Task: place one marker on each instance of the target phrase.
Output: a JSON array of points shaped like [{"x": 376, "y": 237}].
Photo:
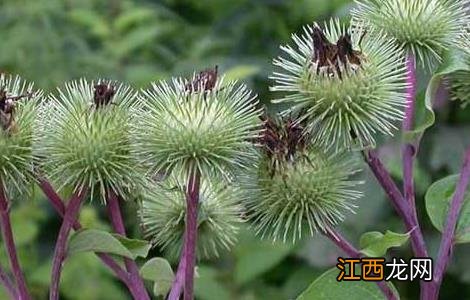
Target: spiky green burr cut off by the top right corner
[{"x": 424, "y": 28}]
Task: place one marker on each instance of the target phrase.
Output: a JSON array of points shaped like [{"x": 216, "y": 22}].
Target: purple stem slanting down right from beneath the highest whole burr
[{"x": 398, "y": 202}]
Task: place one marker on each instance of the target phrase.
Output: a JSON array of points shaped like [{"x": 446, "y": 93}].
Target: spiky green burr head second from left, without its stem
[{"x": 87, "y": 137}]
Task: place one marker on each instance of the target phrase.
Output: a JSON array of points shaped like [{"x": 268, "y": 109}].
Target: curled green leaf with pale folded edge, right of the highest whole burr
[{"x": 424, "y": 114}]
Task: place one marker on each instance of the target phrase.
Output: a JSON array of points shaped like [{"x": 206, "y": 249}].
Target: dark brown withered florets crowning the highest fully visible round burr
[{"x": 331, "y": 56}]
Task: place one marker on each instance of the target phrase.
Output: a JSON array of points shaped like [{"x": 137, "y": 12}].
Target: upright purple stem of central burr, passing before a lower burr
[{"x": 189, "y": 260}]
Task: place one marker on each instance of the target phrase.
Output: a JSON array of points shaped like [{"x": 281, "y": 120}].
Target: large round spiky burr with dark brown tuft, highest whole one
[{"x": 346, "y": 84}]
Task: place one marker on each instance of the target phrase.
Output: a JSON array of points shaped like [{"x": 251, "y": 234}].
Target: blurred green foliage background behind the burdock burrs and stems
[{"x": 52, "y": 41}]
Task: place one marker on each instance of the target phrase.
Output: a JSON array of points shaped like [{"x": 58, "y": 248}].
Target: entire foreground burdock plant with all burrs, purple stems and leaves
[{"x": 201, "y": 157}]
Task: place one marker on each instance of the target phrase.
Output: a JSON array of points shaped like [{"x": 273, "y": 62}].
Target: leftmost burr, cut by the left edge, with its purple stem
[{"x": 18, "y": 136}]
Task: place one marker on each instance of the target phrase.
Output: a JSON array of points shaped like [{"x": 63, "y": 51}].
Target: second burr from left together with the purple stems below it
[{"x": 87, "y": 147}]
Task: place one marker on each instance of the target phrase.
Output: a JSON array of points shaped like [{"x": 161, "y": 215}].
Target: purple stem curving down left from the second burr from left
[{"x": 70, "y": 217}]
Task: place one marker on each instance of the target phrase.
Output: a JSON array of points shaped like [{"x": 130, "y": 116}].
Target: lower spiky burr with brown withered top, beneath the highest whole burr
[{"x": 298, "y": 188}]
